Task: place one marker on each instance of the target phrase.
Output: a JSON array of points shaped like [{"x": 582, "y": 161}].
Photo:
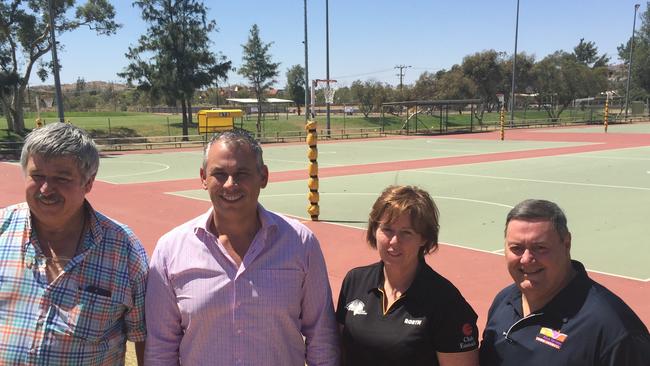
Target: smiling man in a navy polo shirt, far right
[{"x": 554, "y": 314}]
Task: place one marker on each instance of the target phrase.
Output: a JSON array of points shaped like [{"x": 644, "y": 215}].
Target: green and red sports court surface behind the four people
[{"x": 601, "y": 180}]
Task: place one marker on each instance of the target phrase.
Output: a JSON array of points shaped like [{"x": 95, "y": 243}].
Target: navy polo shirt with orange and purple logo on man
[{"x": 585, "y": 324}]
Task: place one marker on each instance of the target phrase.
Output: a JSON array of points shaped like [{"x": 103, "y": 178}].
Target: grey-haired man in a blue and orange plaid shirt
[{"x": 72, "y": 281}]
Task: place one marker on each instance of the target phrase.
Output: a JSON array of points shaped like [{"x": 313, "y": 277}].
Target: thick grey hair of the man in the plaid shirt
[{"x": 59, "y": 139}]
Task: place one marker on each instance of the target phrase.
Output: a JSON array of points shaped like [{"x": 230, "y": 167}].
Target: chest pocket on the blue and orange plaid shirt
[{"x": 90, "y": 319}]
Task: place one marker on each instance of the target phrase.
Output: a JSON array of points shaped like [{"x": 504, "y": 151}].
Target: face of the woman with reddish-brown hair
[{"x": 398, "y": 243}]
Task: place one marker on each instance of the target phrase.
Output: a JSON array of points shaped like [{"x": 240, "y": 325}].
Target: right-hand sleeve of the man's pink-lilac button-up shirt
[{"x": 318, "y": 324}]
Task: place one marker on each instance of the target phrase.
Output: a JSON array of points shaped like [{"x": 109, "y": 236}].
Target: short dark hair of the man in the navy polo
[{"x": 535, "y": 209}]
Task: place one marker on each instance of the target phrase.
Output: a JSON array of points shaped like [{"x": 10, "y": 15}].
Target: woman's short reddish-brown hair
[{"x": 417, "y": 203}]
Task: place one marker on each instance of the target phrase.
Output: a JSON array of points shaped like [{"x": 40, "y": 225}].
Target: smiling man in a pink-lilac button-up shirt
[{"x": 239, "y": 285}]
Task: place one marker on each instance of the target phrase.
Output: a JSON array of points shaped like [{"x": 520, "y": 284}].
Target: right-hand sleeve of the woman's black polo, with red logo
[{"x": 456, "y": 330}]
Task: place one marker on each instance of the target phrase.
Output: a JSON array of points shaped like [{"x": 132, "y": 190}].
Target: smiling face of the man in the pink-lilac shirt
[{"x": 233, "y": 179}]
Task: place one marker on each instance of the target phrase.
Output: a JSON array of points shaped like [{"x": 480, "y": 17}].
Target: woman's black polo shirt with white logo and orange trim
[{"x": 430, "y": 317}]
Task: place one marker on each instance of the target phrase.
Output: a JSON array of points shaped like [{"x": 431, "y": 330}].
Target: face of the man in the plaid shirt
[{"x": 55, "y": 189}]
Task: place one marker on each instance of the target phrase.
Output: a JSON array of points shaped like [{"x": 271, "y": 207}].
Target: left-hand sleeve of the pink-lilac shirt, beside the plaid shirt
[{"x": 164, "y": 332}]
